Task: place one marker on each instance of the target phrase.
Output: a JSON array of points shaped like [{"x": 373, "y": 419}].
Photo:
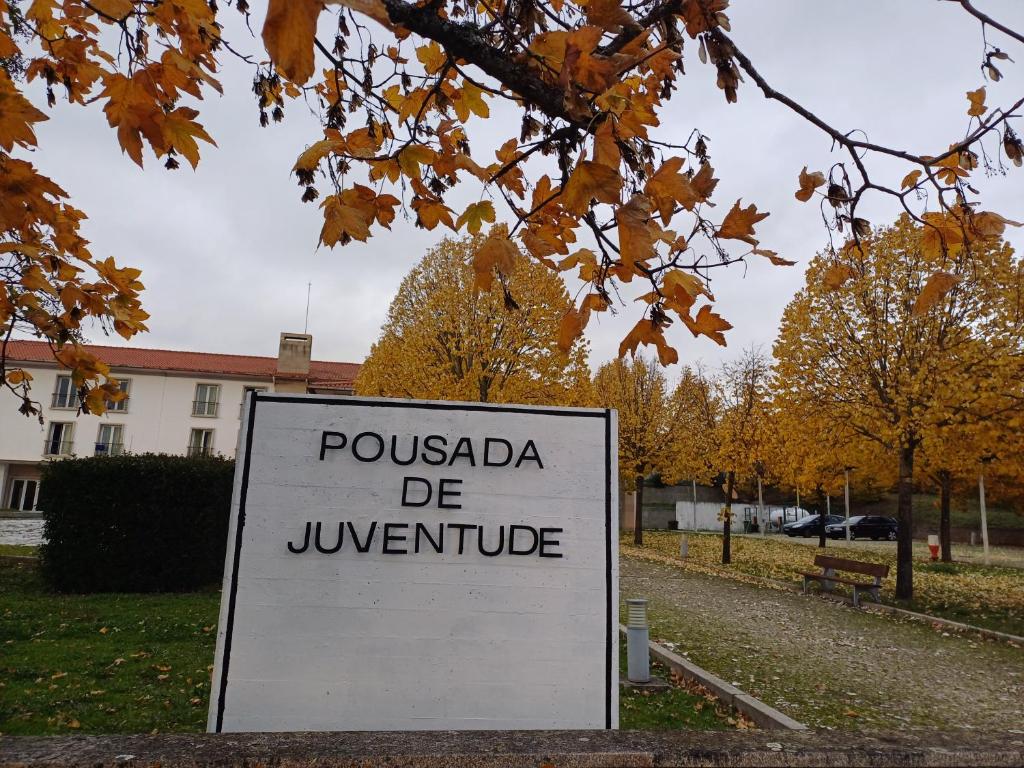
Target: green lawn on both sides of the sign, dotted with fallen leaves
[{"x": 136, "y": 664}]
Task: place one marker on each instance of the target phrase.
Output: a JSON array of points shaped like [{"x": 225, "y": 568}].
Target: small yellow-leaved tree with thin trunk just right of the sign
[{"x": 651, "y": 422}]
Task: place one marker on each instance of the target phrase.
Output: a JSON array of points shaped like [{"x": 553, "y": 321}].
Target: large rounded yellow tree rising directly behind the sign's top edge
[{"x": 444, "y": 340}]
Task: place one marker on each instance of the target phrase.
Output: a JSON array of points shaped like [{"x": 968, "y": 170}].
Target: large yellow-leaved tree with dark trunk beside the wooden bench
[{"x": 869, "y": 353}]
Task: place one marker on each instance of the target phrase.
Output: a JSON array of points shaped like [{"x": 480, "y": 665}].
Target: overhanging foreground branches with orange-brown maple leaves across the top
[{"x": 588, "y": 178}]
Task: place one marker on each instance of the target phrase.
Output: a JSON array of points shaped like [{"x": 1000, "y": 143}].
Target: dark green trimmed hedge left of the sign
[{"x": 136, "y": 524}]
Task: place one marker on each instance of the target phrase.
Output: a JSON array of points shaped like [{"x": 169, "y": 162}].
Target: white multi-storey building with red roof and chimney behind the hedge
[{"x": 178, "y": 403}]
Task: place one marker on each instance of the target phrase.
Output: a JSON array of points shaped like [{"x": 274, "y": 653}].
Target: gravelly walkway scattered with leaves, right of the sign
[{"x": 829, "y": 665}]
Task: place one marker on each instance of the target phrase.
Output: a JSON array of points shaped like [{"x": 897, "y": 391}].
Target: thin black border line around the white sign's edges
[{"x": 255, "y": 398}]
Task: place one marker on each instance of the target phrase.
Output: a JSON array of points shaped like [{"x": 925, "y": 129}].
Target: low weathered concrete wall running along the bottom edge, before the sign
[{"x": 742, "y": 749}]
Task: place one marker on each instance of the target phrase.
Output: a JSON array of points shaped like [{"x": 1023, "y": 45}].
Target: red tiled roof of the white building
[{"x": 199, "y": 363}]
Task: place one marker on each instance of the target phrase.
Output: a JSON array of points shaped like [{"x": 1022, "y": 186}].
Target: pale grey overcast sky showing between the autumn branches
[{"x": 227, "y": 252}]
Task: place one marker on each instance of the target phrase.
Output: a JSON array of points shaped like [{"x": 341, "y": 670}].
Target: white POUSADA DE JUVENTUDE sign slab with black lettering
[{"x": 417, "y": 566}]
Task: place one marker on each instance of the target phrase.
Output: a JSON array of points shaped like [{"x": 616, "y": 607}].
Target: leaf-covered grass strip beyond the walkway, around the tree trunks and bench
[{"x": 992, "y": 598}]
